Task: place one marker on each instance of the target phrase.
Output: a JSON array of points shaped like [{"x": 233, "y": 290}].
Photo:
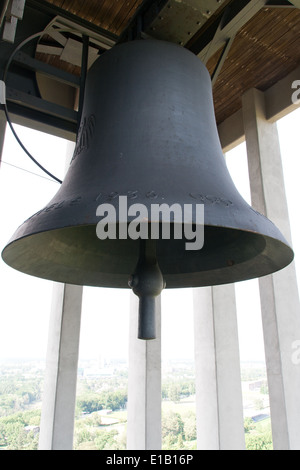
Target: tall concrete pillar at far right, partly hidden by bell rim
[{"x": 278, "y": 292}]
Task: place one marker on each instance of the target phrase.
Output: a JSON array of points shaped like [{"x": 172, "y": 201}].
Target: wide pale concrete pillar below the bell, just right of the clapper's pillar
[{"x": 219, "y": 406}]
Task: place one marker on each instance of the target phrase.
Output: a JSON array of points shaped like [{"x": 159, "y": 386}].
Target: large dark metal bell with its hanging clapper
[{"x": 148, "y": 134}]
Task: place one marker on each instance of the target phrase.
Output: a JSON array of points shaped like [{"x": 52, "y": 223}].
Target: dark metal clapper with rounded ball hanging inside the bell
[{"x": 147, "y": 283}]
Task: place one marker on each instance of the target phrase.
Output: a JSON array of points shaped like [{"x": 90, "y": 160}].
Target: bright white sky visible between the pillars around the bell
[{"x": 25, "y": 301}]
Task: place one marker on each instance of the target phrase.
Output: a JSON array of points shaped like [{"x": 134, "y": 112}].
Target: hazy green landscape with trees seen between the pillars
[{"x": 101, "y": 404}]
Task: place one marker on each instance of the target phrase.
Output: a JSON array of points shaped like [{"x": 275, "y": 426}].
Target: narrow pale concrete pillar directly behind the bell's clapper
[{"x": 144, "y": 385}]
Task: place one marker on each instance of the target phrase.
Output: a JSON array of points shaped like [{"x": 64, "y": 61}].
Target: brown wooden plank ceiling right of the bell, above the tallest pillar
[{"x": 265, "y": 50}]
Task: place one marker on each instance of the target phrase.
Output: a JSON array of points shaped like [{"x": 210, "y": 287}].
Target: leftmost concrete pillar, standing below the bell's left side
[{"x": 58, "y": 409}]
